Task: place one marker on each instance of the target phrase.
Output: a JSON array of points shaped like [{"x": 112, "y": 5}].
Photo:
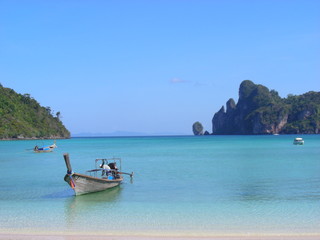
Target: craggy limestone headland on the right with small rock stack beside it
[{"x": 262, "y": 111}]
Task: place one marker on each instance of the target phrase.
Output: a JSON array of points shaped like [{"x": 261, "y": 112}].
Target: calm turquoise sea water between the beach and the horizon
[{"x": 184, "y": 185}]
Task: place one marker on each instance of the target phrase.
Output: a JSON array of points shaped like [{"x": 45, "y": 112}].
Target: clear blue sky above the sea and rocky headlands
[{"x": 154, "y": 66}]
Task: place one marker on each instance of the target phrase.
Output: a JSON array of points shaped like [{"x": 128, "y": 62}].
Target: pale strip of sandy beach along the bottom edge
[{"x": 49, "y": 235}]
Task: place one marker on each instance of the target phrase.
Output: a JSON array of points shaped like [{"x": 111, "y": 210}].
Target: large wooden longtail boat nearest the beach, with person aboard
[{"x": 105, "y": 175}]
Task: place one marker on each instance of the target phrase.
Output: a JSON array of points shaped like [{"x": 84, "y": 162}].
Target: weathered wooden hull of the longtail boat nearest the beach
[{"x": 83, "y": 184}]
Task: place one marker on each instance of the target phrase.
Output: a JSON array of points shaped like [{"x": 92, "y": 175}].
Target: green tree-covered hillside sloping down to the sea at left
[{"x": 21, "y": 116}]
